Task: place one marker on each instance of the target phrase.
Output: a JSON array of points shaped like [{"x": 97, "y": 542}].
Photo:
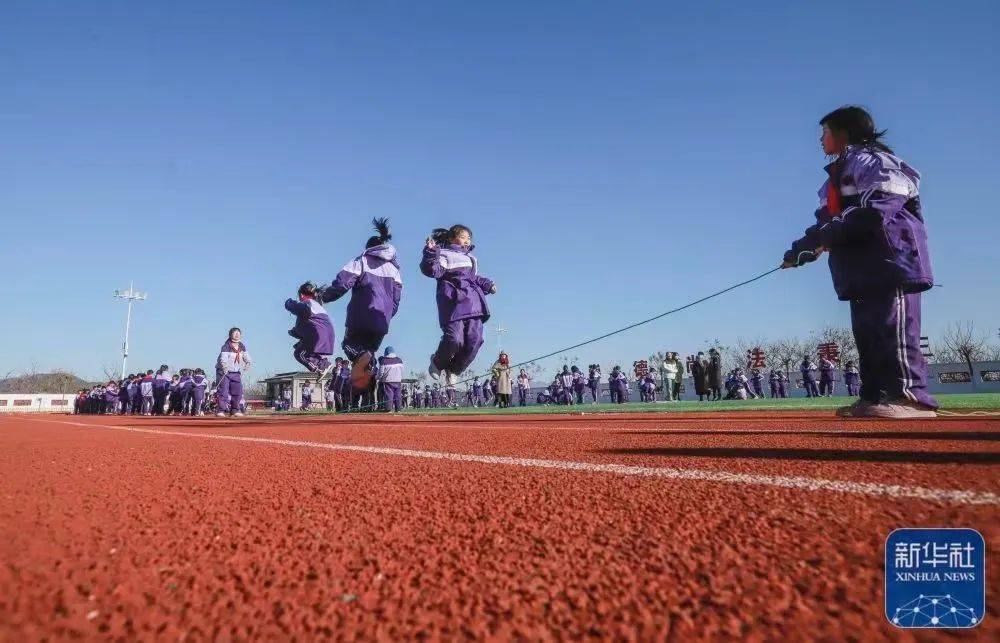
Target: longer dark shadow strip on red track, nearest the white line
[{"x": 845, "y": 455}]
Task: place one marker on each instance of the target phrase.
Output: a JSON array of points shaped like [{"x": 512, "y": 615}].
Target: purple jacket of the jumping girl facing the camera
[{"x": 461, "y": 291}]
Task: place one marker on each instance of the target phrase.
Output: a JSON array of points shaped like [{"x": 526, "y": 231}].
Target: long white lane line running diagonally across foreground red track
[{"x": 954, "y": 496}]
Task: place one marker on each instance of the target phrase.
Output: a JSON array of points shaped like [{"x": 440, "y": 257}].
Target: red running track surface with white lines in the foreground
[{"x": 645, "y": 527}]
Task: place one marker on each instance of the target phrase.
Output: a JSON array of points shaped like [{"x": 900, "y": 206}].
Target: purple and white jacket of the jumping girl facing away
[{"x": 376, "y": 287}]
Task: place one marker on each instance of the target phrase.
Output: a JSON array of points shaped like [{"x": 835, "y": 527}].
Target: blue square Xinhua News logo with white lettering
[{"x": 935, "y": 578}]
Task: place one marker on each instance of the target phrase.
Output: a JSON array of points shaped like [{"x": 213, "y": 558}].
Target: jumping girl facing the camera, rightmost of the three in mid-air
[{"x": 461, "y": 299}]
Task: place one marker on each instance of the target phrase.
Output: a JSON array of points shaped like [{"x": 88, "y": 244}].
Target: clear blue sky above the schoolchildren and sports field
[{"x": 613, "y": 159}]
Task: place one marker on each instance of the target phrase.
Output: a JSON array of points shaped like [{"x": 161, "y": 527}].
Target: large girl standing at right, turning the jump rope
[{"x": 870, "y": 220}]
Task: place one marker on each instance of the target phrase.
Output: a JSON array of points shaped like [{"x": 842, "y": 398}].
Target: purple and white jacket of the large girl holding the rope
[{"x": 878, "y": 242}]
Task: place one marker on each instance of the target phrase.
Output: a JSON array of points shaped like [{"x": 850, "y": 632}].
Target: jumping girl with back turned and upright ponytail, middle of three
[{"x": 376, "y": 286}]
